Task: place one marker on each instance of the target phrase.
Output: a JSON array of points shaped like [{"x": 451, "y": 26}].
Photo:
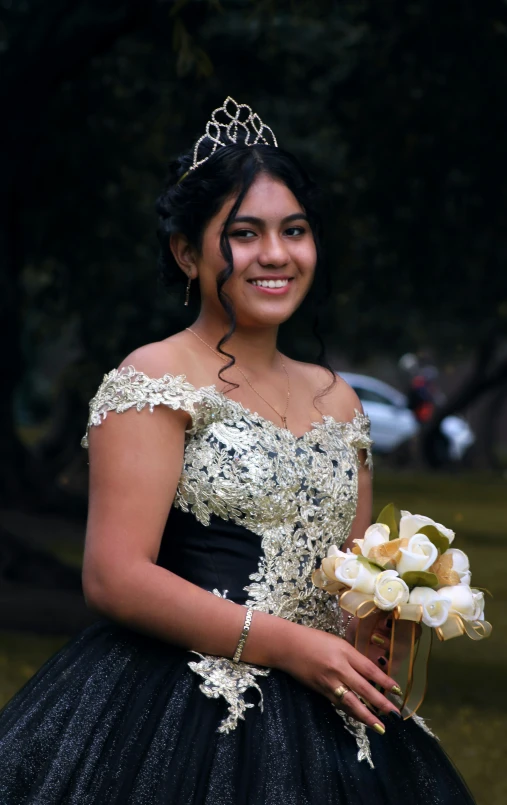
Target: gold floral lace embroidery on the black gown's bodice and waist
[{"x": 299, "y": 494}]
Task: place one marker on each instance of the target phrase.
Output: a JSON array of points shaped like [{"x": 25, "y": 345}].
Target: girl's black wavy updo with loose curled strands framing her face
[{"x": 191, "y": 198}]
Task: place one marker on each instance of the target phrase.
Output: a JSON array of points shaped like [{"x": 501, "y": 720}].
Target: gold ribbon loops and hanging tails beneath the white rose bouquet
[{"x": 411, "y": 642}]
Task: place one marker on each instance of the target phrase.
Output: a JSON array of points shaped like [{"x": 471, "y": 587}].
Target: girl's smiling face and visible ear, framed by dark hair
[{"x": 274, "y": 256}]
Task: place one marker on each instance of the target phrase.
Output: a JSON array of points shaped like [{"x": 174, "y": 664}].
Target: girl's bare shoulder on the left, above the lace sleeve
[{"x": 169, "y": 356}]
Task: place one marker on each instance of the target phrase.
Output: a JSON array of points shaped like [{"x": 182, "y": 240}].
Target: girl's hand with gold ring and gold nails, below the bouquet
[{"x": 325, "y": 662}]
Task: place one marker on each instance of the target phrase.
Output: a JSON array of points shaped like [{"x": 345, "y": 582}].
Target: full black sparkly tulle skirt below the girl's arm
[{"x": 117, "y": 718}]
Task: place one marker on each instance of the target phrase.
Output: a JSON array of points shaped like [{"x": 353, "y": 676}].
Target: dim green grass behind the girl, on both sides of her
[{"x": 467, "y": 700}]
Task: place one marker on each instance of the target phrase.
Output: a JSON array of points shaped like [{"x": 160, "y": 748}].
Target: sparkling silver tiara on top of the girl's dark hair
[{"x": 224, "y": 126}]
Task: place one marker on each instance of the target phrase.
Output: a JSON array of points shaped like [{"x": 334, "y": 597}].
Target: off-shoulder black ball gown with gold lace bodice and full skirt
[{"x": 120, "y": 718}]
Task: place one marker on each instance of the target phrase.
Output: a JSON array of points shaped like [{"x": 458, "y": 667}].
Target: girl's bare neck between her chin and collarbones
[{"x": 253, "y": 348}]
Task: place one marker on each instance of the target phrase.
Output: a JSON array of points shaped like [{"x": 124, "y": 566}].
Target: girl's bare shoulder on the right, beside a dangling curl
[{"x": 333, "y": 396}]
